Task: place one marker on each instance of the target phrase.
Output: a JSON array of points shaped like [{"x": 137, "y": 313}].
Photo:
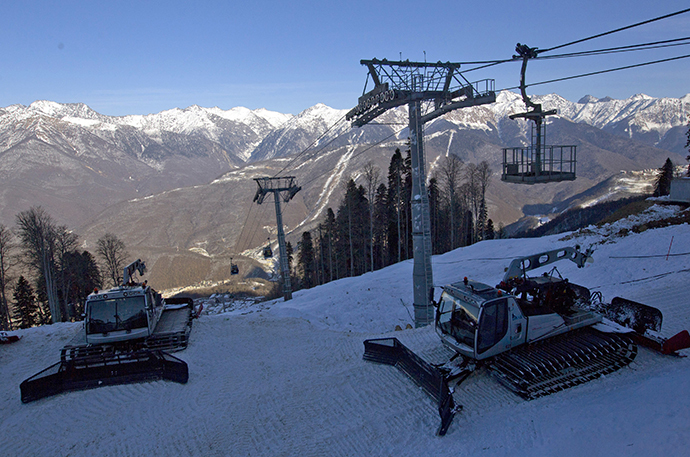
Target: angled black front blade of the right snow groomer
[{"x": 391, "y": 351}]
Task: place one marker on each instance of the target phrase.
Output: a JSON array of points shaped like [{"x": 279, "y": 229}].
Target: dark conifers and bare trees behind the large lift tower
[{"x": 372, "y": 226}]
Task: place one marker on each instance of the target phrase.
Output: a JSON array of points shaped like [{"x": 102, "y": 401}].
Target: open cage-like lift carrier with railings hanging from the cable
[{"x": 537, "y": 163}]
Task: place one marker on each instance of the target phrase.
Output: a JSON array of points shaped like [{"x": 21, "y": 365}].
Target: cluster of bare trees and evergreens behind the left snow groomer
[{"x": 44, "y": 276}]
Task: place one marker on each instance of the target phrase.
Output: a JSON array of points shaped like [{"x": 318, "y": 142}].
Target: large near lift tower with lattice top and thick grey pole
[{"x": 442, "y": 88}]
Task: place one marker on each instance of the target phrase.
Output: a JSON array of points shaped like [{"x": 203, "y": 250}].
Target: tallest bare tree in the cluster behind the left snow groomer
[{"x": 38, "y": 233}]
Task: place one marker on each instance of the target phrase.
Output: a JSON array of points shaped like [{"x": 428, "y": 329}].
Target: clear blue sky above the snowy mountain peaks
[{"x": 140, "y": 57}]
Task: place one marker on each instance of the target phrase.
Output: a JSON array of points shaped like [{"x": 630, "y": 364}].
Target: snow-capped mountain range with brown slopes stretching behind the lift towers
[{"x": 177, "y": 186}]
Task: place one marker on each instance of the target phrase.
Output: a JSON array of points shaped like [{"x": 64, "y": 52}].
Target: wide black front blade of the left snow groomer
[{"x": 97, "y": 371}]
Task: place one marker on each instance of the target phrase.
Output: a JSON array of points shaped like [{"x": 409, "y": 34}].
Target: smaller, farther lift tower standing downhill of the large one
[{"x": 286, "y": 188}]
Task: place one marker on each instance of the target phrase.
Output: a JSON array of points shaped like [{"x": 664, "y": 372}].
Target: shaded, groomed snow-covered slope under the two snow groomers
[{"x": 287, "y": 378}]
